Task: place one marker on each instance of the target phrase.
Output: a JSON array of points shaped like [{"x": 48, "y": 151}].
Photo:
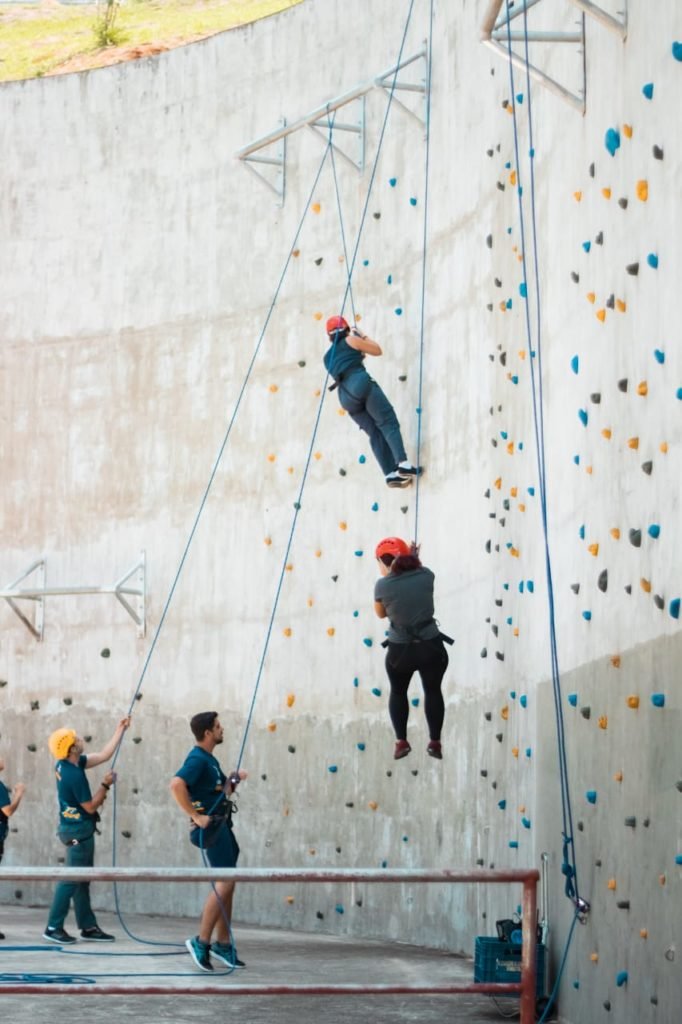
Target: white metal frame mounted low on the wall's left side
[{"x": 130, "y": 590}]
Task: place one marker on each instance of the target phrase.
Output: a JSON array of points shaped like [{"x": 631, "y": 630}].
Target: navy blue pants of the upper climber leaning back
[{"x": 371, "y": 410}]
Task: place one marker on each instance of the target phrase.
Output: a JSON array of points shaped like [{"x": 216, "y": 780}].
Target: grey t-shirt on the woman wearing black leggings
[{"x": 408, "y": 599}]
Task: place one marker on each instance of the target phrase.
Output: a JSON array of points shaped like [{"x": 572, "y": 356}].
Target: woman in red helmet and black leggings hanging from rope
[{"x": 405, "y": 596}]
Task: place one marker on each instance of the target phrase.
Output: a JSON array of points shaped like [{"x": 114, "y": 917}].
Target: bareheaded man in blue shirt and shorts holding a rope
[{"x": 202, "y": 790}]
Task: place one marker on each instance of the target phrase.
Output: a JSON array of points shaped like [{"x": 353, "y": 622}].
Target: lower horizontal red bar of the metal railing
[{"x": 503, "y": 989}]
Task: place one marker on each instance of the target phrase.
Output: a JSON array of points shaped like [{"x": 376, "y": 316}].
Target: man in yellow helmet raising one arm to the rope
[{"x": 78, "y": 819}]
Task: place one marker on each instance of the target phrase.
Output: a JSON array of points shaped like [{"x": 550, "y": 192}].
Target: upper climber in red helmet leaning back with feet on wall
[{"x": 364, "y": 400}]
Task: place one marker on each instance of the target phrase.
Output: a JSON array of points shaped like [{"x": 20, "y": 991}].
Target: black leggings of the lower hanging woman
[{"x": 430, "y": 659}]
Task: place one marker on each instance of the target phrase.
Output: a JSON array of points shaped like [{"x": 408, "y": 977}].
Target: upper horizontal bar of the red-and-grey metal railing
[{"x": 279, "y": 875}]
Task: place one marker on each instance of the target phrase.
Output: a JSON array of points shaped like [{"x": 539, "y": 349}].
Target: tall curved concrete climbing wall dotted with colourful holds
[{"x": 139, "y": 262}]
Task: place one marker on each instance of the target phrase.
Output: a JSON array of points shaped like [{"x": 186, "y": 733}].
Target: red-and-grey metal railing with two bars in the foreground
[{"x": 526, "y": 989}]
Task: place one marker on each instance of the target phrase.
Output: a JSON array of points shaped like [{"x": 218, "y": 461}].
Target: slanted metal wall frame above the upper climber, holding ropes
[{"x": 353, "y": 129}]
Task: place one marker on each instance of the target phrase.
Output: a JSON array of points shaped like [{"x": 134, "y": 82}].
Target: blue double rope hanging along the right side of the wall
[{"x": 569, "y": 867}]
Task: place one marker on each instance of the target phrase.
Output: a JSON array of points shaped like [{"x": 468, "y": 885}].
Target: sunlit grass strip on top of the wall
[{"x": 52, "y": 38}]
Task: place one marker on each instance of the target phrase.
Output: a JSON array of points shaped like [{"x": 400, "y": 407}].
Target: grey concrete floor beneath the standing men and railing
[{"x": 272, "y": 958}]
